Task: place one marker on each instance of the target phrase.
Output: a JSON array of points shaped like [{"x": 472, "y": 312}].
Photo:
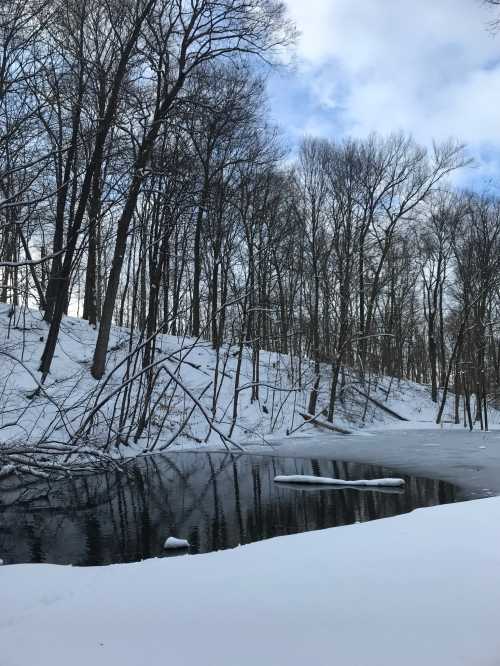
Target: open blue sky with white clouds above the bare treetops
[{"x": 429, "y": 67}]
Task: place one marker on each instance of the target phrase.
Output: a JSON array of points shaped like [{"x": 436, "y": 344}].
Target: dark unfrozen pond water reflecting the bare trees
[{"x": 215, "y": 501}]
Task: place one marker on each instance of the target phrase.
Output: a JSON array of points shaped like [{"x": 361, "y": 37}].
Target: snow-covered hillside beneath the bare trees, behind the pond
[{"x": 58, "y": 413}]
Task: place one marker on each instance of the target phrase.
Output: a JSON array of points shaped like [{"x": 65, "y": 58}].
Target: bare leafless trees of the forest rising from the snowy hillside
[{"x": 145, "y": 186}]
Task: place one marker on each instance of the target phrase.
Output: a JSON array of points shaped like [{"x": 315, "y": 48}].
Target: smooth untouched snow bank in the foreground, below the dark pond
[{"x": 422, "y": 588}]
